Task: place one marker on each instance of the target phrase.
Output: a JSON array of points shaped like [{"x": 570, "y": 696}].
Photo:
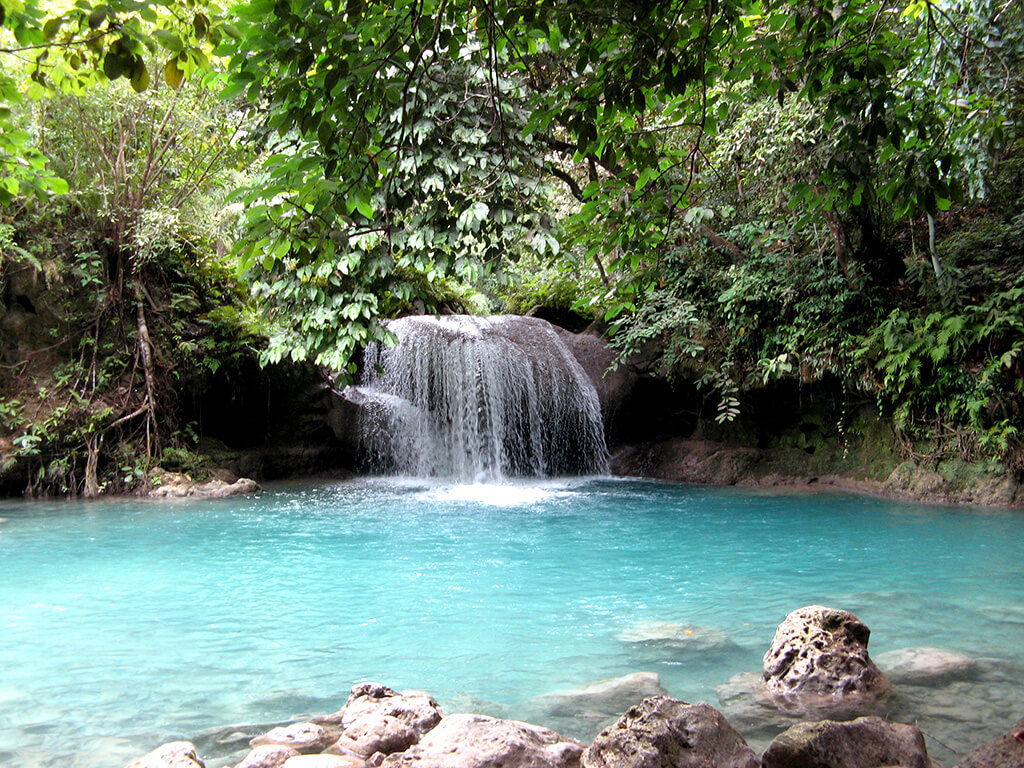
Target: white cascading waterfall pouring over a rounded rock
[{"x": 479, "y": 400}]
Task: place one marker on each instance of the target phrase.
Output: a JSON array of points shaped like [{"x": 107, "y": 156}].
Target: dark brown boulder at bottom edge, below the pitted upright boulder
[{"x": 865, "y": 743}]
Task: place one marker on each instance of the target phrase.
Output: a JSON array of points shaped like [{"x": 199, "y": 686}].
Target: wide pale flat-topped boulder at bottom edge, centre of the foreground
[{"x": 482, "y": 742}]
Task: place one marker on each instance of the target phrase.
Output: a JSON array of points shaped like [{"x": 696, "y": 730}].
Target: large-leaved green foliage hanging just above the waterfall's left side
[{"x": 356, "y": 220}]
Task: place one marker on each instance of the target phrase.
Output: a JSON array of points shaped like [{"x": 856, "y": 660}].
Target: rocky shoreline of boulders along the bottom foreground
[{"x": 818, "y": 676}]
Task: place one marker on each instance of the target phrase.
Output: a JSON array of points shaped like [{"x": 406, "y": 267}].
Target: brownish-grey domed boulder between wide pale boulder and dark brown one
[{"x": 664, "y": 733}]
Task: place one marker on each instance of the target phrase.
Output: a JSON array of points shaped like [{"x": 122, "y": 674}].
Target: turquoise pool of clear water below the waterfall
[{"x": 125, "y": 623}]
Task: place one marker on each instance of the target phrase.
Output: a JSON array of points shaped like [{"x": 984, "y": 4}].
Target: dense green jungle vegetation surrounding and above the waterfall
[{"x": 737, "y": 192}]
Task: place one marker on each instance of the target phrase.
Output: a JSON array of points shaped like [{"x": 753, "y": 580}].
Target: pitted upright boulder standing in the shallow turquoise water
[{"x": 822, "y": 653}]
